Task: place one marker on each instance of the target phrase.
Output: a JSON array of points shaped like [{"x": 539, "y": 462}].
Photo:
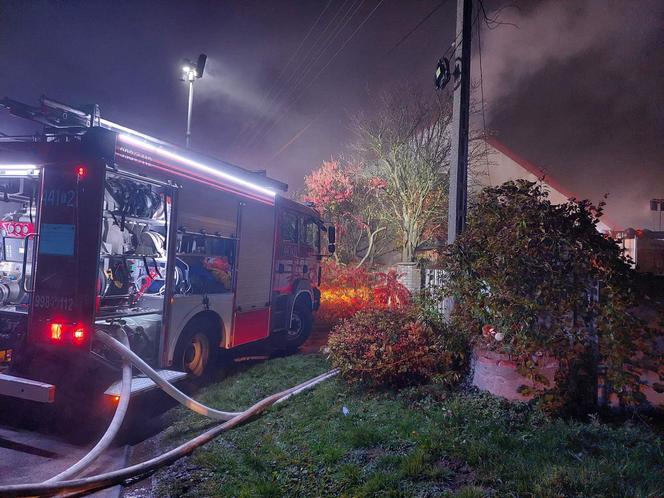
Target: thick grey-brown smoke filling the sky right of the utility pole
[{"x": 577, "y": 88}]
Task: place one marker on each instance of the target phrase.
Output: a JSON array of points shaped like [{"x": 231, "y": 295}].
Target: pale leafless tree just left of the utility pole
[{"x": 406, "y": 143}]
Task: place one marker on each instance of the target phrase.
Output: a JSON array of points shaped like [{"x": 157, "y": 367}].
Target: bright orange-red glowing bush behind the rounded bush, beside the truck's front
[{"x": 345, "y": 290}]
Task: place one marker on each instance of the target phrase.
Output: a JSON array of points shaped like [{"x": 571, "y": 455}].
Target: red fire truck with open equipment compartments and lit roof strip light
[{"x": 105, "y": 228}]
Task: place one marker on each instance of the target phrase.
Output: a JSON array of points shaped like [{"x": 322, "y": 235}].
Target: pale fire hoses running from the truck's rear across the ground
[{"x": 62, "y": 483}]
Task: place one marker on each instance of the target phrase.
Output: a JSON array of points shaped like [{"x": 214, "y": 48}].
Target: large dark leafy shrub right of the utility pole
[{"x": 531, "y": 277}]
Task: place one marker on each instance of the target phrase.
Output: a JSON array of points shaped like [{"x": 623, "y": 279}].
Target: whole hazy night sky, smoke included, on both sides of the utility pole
[{"x": 577, "y": 88}]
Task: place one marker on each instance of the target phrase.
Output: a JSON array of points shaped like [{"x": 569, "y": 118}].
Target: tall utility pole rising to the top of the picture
[{"x": 458, "y": 194}]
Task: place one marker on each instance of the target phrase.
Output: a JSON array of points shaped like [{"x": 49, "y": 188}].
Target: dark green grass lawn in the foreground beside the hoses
[{"x": 421, "y": 442}]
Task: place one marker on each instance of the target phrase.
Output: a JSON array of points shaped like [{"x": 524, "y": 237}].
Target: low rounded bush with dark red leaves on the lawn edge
[{"x": 386, "y": 348}]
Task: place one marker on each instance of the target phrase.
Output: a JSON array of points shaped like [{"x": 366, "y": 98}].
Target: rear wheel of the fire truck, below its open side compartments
[{"x": 197, "y": 349}]
